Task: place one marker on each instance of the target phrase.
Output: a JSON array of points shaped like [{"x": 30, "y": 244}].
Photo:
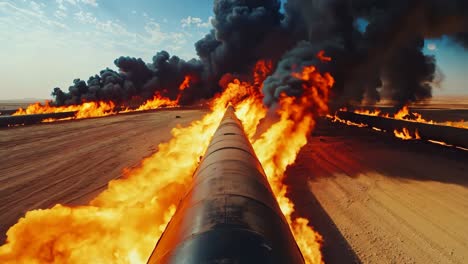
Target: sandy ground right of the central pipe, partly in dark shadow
[{"x": 377, "y": 199}]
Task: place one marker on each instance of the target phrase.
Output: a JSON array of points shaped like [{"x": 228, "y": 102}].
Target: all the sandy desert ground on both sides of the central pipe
[{"x": 374, "y": 198}]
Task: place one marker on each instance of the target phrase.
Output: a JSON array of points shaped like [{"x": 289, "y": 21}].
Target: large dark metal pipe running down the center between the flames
[{"x": 230, "y": 214}]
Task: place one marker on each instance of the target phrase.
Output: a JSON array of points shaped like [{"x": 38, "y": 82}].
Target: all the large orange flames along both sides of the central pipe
[{"x": 124, "y": 222}]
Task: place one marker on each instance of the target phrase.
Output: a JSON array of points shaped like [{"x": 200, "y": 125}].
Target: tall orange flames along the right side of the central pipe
[{"x": 278, "y": 147}]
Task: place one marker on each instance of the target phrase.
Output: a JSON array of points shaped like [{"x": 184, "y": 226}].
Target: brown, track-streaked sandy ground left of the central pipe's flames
[{"x": 70, "y": 162}]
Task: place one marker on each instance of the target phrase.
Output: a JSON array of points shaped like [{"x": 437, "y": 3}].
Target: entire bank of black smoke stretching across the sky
[{"x": 386, "y": 60}]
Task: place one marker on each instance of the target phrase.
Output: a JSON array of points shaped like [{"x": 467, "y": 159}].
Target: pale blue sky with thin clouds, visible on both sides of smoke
[{"x": 48, "y": 43}]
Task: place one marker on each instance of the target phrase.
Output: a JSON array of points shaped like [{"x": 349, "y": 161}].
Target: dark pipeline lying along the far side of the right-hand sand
[{"x": 450, "y": 135}]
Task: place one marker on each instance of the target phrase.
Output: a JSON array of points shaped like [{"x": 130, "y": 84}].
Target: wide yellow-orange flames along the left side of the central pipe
[{"x": 123, "y": 223}]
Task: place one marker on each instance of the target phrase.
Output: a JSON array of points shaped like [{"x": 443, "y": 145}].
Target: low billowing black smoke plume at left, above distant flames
[{"x": 135, "y": 79}]
